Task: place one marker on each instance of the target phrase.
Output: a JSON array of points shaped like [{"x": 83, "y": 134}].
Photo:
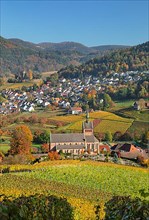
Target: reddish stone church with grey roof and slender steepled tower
[{"x": 76, "y": 143}]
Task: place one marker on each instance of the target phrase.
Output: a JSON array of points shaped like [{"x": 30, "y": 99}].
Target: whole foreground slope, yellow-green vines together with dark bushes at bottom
[{"x": 84, "y": 184}]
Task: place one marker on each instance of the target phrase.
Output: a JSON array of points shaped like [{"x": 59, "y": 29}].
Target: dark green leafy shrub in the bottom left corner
[{"x": 36, "y": 207}]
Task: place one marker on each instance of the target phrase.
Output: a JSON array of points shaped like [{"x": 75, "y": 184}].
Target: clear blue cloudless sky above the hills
[{"x": 91, "y": 23}]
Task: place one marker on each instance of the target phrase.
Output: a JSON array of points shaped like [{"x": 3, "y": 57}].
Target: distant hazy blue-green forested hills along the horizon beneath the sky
[{"x": 17, "y": 55}]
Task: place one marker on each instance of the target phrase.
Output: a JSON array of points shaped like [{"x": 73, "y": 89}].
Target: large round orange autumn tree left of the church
[{"x": 21, "y": 140}]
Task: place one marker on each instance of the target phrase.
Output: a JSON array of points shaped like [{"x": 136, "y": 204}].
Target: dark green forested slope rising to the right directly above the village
[{"x": 134, "y": 58}]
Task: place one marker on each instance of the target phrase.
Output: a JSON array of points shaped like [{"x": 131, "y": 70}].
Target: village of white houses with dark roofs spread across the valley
[{"x": 65, "y": 94}]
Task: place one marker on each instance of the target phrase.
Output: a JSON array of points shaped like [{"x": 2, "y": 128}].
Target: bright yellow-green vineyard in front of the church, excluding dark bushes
[{"x": 84, "y": 184}]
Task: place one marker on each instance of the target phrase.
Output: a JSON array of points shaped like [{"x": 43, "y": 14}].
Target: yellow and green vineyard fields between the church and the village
[{"x": 103, "y": 122}]
